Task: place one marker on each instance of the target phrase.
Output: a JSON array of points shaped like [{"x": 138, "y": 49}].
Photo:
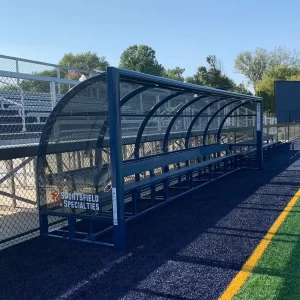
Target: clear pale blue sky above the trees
[{"x": 182, "y": 33}]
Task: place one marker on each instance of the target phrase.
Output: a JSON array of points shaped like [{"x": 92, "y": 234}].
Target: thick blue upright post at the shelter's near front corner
[{"x": 113, "y": 90}]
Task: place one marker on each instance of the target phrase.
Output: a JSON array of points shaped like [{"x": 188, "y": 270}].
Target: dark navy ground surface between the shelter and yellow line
[{"x": 190, "y": 249}]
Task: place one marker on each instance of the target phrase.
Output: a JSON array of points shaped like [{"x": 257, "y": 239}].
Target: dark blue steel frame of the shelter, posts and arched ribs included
[{"x": 114, "y": 77}]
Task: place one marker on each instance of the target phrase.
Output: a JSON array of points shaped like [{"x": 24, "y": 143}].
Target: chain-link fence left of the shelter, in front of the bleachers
[{"x": 25, "y": 104}]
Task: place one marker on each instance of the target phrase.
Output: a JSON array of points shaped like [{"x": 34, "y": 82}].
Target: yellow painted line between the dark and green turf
[{"x": 241, "y": 277}]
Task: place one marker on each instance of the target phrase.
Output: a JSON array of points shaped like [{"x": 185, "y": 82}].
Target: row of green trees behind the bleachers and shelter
[{"x": 261, "y": 68}]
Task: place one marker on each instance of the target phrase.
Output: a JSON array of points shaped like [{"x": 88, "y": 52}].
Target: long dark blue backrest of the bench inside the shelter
[{"x": 157, "y": 161}]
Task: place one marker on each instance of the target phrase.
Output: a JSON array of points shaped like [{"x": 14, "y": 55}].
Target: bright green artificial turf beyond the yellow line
[{"x": 277, "y": 274}]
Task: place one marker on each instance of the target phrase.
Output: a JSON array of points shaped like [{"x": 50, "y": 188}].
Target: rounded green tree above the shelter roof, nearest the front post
[{"x": 141, "y": 58}]
